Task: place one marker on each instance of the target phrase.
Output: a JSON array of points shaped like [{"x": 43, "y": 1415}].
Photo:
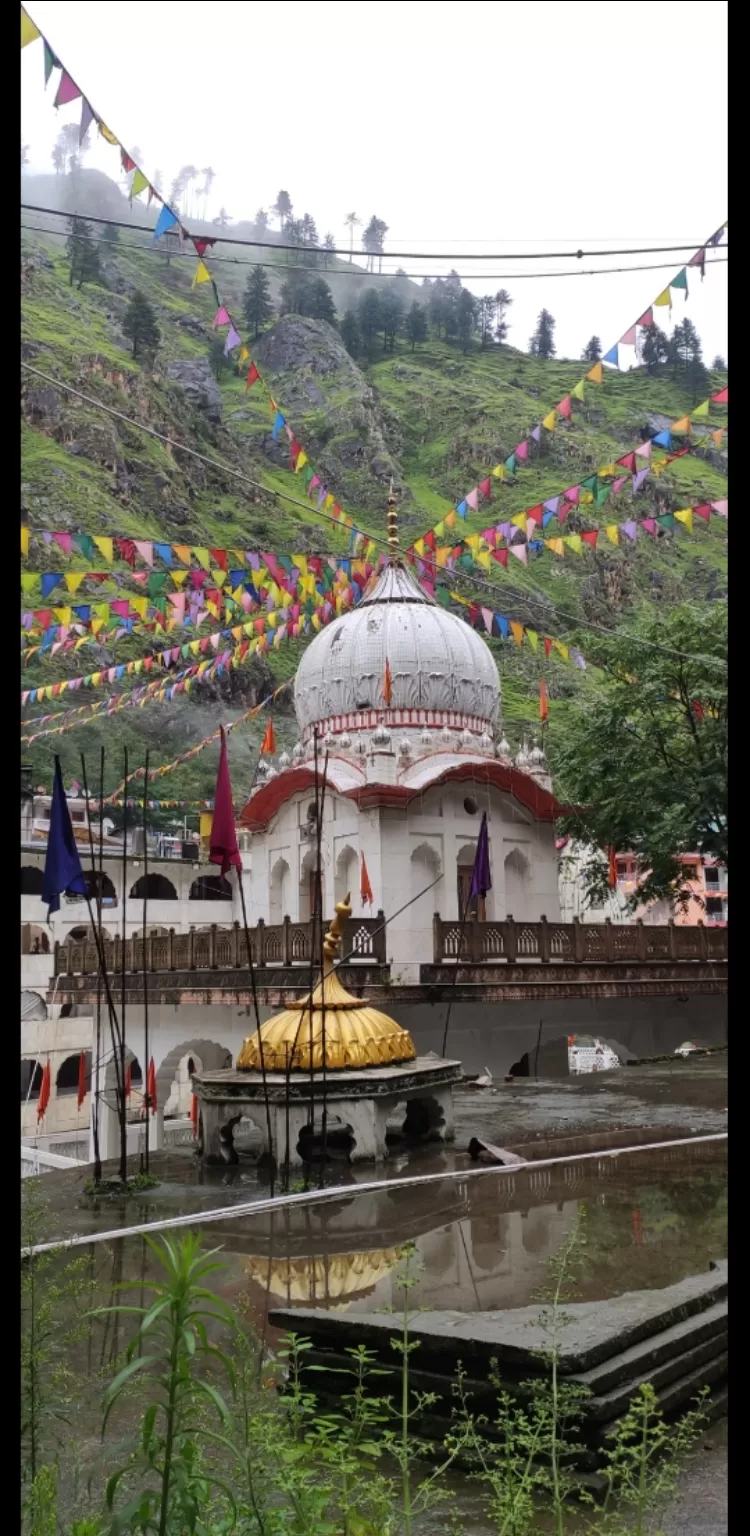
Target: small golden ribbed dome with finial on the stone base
[{"x": 356, "y": 1036}]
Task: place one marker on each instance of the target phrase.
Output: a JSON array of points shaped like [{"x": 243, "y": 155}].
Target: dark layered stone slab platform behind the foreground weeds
[{"x": 674, "y": 1339}]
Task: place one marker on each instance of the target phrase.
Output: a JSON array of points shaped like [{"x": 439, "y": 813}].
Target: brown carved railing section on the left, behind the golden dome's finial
[{"x": 225, "y": 948}]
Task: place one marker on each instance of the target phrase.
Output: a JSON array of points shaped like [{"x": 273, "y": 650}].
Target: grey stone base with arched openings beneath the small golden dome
[{"x": 359, "y": 1102}]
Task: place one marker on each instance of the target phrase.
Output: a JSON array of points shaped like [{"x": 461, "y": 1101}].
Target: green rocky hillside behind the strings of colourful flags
[{"x": 434, "y": 419}]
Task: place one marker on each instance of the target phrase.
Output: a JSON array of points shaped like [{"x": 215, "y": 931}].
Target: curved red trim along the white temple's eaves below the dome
[{"x": 294, "y": 781}]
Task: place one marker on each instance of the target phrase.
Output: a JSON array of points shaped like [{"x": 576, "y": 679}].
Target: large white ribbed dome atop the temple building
[{"x": 436, "y": 660}]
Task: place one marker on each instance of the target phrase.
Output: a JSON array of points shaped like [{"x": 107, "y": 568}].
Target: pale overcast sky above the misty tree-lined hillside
[{"x": 470, "y": 128}]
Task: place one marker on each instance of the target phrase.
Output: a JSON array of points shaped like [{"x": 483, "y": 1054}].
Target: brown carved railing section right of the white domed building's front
[{"x": 576, "y": 944}]
